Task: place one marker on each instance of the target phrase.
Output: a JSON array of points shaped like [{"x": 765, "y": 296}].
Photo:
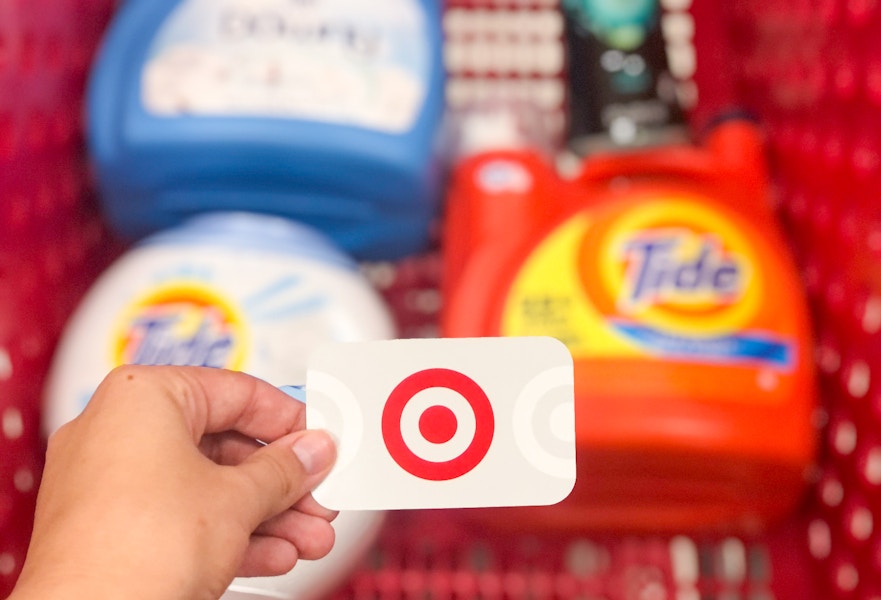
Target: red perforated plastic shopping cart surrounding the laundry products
[{"x": 810, "y": 70}]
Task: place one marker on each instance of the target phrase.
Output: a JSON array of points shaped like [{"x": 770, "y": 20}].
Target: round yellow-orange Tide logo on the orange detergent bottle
[{"x": 675, "y": 264}]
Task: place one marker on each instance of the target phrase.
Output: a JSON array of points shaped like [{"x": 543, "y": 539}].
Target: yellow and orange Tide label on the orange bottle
[{"x": 659, "y": 276}]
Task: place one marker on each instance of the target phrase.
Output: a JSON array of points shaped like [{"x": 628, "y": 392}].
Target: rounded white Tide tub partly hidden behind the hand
[{"x": 241, "y": 291}]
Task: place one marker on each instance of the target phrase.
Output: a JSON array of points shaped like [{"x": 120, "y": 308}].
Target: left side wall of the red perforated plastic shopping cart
[{"x": 52, "y": 242}]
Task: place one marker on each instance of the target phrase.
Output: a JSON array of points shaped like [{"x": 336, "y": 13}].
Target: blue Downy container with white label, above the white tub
[{"x": 322, "y": 111}]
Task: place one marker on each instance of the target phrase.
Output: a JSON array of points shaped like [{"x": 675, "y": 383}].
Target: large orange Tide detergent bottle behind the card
[{"x": 663, "y": 271}]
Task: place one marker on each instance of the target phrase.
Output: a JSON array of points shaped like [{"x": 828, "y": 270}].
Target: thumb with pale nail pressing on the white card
[{"x": 281, "y": 473}]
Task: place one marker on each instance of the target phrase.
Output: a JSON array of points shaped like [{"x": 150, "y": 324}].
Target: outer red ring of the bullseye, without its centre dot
[{"x": 394, "y": 438}]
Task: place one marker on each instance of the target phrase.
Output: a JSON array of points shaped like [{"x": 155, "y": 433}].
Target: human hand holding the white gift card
[{"x": 159, "y": 489}]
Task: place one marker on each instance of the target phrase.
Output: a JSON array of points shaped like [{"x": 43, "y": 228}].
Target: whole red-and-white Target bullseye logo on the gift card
[{"x": 454, "y": 424}]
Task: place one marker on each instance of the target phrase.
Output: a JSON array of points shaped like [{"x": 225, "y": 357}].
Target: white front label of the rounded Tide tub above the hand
[{"x": 252, "y": 311}]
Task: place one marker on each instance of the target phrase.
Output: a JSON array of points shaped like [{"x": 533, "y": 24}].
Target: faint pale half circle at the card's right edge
[{"x": 544, "y": 422}]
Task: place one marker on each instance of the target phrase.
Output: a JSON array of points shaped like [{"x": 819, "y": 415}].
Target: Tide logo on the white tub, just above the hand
[{"x": 182, "y": 323}]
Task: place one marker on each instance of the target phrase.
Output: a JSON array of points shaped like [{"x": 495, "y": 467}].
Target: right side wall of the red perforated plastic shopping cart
[{"x": 812, "y": 71}]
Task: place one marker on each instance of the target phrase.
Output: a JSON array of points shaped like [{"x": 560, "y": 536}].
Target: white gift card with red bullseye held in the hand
[{"x": 445, "y": 423}]
